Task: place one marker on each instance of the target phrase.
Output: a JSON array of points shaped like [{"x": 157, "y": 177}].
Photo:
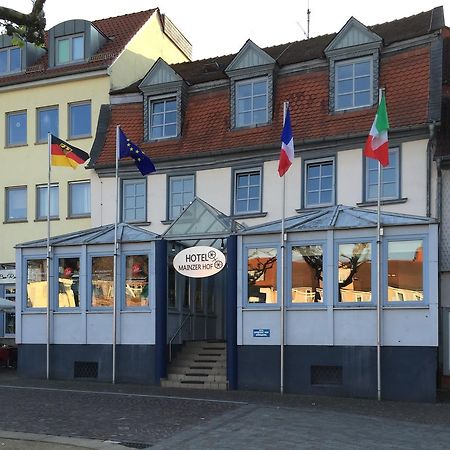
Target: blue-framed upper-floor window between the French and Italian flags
[{"x": 319, "y": 183}]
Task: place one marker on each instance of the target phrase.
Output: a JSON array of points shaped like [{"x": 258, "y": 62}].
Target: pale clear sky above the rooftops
[{"x": 217, "y": 28}]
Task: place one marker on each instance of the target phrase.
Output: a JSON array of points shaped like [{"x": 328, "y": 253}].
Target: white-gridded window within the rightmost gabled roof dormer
[{"x": 353, "y": 81}]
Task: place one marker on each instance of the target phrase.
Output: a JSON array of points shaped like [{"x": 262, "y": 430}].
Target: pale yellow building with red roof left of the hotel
[{"x": 60, "y": 89}]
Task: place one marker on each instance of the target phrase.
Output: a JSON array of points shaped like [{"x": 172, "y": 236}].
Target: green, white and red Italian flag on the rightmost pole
[{"x": 377, "y": 145}]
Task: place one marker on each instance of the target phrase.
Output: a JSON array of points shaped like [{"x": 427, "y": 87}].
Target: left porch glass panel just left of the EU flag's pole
[{"x": 102, "y": 276}]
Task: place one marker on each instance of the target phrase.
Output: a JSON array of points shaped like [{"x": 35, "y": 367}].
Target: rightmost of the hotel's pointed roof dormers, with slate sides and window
[{"x": 354, "y": 67}]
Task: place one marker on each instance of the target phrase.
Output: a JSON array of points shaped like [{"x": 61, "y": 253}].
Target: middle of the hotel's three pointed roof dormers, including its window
[{"x": 251, "y": 73}]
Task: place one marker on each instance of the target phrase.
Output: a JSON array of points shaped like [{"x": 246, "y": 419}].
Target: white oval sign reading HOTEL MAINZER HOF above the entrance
[{"x": 199, "y": 262}]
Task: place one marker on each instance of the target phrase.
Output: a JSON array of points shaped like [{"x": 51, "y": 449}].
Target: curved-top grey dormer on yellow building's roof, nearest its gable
[{"x": 73, "y": 42}]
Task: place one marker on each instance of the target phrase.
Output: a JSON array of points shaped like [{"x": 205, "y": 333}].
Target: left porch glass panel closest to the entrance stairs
[{"x": 136, "y": 283}]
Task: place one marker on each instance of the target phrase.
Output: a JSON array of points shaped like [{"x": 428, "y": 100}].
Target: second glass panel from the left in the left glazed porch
[{"x": 69, "y": 282}]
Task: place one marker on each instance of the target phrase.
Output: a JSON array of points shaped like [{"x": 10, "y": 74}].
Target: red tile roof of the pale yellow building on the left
[{"x": 119, "y": 31}]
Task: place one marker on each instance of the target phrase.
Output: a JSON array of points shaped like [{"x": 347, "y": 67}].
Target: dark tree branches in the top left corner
[{"x": 25, "y": 27}]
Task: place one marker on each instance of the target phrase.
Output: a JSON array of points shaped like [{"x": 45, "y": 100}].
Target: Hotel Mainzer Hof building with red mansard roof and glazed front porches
[{"x": 213, "y": 127}]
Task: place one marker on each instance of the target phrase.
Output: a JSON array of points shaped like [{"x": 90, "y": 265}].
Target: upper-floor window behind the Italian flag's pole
[{"x": 390, "y": 177}]
